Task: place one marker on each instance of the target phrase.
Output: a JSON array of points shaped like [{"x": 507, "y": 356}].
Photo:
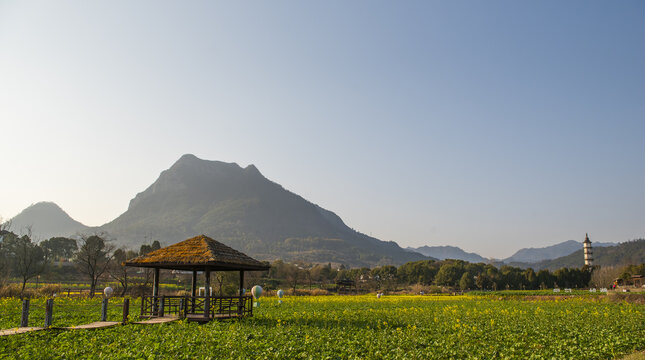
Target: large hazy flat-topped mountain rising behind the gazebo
[{"x": 243, "y": 209}]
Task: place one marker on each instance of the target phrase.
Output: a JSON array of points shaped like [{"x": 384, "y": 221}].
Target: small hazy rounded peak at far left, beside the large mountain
[{"x": 46, "y": 220}]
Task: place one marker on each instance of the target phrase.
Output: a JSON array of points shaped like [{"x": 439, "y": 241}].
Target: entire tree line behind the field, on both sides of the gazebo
[{"x": 93, "y": 258}]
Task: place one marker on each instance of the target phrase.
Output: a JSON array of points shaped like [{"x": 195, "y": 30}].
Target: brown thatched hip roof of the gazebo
[{"x": 197, "y": 253}]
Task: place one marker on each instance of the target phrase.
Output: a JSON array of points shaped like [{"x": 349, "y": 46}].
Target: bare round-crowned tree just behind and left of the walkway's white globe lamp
[{"x": 93, "y": 258}]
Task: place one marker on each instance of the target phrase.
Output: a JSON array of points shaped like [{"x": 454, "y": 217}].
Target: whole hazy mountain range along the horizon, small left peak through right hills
[{"x": 250, "y": 213}]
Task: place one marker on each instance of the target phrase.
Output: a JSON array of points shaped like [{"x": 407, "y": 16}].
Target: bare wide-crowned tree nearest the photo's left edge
[{"x": 28, "y": 260}]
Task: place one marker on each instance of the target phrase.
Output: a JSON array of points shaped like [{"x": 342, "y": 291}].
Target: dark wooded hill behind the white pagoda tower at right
[{"x": 630, "y": 252}]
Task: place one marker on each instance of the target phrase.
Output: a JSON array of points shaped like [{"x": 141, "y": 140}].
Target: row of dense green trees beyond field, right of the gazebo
[{"x": 448, "y": 274}]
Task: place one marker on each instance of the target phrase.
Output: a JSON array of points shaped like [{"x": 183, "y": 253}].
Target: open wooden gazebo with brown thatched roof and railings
[{"x": 200, "y": 253}]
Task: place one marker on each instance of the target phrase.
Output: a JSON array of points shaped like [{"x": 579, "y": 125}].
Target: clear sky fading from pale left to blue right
[{"x": 491, "y": 126}]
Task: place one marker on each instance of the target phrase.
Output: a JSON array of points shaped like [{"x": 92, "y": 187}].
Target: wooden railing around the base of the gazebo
[{"x": 183, "y": 306}]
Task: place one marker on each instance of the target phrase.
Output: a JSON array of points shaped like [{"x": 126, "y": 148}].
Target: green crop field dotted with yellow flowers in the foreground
[{"x": 360, "y": 327}]
